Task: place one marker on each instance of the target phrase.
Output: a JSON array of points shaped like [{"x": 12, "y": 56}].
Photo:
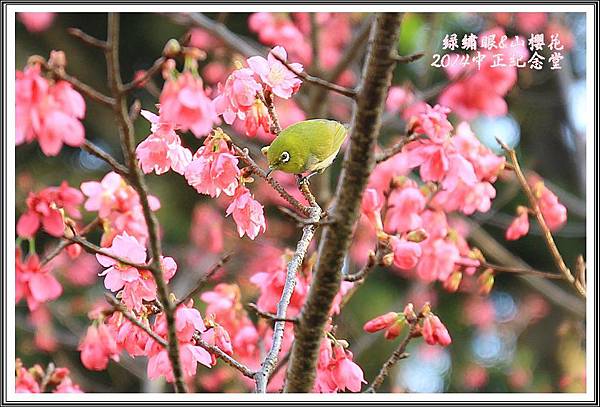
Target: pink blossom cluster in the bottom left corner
[{"x": 35, "y": 380}]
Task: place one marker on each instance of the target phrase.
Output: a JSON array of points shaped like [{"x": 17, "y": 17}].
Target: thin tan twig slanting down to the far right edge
[{"x": 546, "y": 233}]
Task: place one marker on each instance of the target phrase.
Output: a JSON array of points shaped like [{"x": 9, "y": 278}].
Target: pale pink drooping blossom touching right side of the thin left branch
[{"x": 162, "y": 149}]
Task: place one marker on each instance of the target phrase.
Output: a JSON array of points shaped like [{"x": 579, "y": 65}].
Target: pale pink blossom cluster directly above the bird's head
[{"x": 242, "y": 97}]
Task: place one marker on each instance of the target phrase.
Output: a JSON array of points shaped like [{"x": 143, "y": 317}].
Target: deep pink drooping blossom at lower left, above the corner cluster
[{"x": 98, "y": 346}]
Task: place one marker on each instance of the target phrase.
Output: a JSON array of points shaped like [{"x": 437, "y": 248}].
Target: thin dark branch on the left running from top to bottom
[{"x": 138, "y": 183}]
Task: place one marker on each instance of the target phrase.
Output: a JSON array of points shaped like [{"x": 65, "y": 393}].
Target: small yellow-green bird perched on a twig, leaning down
[{"x": 309, "y": 147}]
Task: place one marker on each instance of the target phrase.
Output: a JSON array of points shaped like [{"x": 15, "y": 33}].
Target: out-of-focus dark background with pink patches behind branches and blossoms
[{"x": 526, "y": 336}]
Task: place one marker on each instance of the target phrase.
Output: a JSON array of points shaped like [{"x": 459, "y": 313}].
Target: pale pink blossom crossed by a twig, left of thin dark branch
[{"x": 117, "y": 274}]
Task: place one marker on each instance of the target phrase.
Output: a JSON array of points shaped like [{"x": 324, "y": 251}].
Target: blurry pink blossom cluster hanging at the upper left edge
[{"x": 47, "y": 111}]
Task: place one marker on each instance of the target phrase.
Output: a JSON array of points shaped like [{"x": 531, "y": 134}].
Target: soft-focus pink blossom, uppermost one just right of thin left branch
[{"x": 184, "y": 103}]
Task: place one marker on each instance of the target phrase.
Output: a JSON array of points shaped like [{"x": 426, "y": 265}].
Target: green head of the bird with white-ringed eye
[{"x": 286, "y": 154}]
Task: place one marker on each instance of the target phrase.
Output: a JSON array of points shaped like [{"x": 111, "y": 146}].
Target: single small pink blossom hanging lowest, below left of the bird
[{"x": 247, "y": 213}]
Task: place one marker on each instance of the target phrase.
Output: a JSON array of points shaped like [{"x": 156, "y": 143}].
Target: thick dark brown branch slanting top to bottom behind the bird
[{"x": 358, "y": 163}]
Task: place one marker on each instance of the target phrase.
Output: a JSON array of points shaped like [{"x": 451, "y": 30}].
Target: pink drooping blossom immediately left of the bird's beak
[{"x": 214, "y": 167}]
